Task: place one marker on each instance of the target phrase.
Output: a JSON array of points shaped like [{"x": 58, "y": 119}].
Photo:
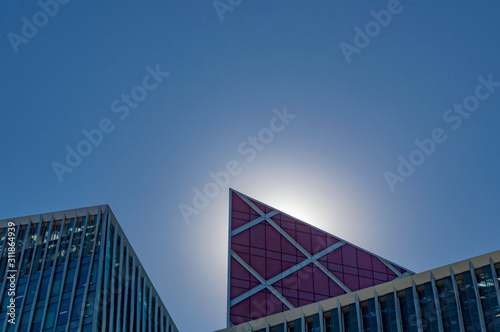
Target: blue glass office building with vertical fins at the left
[{"x": 75, "y": 270}]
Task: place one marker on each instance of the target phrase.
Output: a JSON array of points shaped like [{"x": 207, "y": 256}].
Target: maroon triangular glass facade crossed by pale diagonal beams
[{"x": 279, "y": 263}]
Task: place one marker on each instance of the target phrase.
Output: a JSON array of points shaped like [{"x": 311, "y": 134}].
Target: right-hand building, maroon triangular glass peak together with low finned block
[{"x": 334, "y": 286}]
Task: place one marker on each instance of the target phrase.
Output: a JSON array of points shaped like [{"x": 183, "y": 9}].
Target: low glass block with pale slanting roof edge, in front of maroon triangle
[{"x": 459, "y": 297}]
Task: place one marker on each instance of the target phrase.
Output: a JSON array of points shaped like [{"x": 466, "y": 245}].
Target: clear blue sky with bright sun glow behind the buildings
[{"x": 313, "y": 107}]
